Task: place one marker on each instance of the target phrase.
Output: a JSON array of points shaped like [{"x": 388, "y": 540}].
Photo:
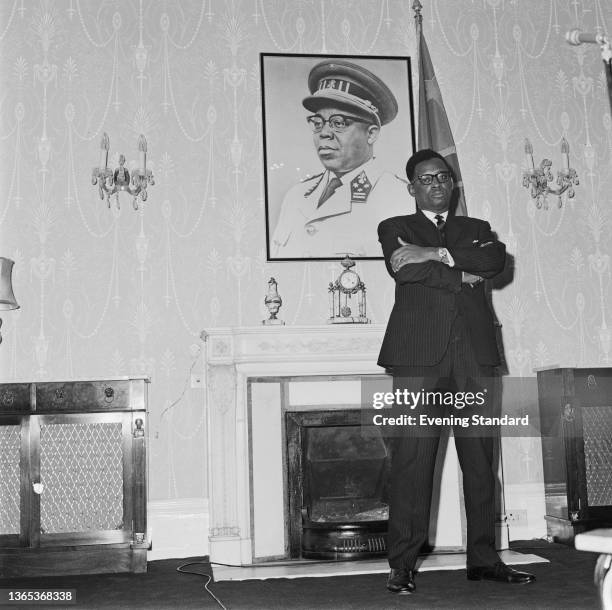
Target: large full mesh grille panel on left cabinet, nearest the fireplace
[{"x": 81, "y": 469}]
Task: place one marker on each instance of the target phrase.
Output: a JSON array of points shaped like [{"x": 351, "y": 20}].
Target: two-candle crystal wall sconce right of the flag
[{"x": 537, "y": 178}]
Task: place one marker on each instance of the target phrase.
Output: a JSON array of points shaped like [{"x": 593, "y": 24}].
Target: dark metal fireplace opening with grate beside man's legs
[{"x": 338, "y": 486}]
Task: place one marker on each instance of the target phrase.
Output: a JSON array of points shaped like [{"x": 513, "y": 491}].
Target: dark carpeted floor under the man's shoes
[{"x": 565, "y": 582}]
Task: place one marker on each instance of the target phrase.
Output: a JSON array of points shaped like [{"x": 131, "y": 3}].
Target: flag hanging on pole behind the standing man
[{"x": 434, "y": 128}]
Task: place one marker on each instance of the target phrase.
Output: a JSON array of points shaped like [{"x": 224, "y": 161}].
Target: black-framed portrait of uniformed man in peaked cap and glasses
[{"x": 293, "y": 165}]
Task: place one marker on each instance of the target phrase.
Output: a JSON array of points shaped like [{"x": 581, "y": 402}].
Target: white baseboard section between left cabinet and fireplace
[{"x": 178, "y": 528}]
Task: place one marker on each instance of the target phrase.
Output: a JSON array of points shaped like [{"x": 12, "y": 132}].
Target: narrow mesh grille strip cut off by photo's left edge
[{"x": 10, "y": 440}]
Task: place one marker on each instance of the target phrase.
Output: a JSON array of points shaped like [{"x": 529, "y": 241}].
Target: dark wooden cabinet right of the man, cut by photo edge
[{"x": 576, "y": 427}]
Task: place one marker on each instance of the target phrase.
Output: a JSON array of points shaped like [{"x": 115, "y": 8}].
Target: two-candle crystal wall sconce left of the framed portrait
[{"x": 113, "y": 182}]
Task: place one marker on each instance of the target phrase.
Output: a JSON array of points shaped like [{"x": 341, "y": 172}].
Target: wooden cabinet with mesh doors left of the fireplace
[{"x": 73, "y": 477}]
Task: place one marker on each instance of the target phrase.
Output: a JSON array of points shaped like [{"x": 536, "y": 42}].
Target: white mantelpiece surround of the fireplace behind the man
[{"x": 246, "y": 507}]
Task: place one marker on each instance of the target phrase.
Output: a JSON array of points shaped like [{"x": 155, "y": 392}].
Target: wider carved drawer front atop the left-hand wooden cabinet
[{"x": 83, "y": 396}]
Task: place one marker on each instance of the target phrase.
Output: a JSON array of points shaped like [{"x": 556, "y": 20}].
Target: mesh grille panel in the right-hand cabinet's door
[{"x": 597, "y": 430}]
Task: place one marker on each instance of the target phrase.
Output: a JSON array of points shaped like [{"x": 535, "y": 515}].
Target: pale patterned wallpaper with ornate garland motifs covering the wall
[{"x": 115, "y": 292}]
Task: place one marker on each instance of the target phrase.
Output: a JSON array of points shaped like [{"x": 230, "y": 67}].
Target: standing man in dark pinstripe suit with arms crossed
[{"x": 440, "y": 336}]
